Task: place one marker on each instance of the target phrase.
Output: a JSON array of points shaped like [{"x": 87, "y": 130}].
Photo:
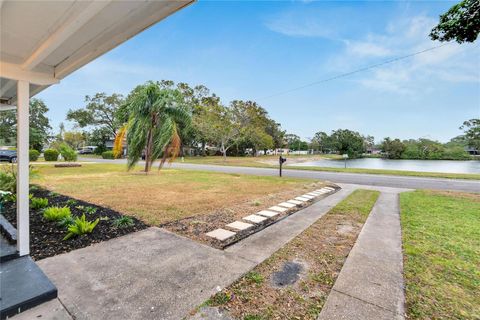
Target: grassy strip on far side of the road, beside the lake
[{"x": 272, "y": 162}]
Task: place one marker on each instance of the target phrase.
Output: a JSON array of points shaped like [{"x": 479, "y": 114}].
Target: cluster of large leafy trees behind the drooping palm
[{"x": 230, "y": 129}]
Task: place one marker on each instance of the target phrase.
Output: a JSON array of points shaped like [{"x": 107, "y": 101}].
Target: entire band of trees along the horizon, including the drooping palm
[{"x": 200, "y": 123}]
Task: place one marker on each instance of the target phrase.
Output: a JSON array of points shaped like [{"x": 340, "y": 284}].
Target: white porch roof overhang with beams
[{"x": 42, "y": 42}]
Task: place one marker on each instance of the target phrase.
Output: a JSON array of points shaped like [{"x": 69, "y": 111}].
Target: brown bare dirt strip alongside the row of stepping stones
[{"x": 196, "y": 227}]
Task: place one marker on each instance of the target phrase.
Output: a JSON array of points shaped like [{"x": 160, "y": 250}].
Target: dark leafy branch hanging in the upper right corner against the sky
[{"x": 461, "y": 23}]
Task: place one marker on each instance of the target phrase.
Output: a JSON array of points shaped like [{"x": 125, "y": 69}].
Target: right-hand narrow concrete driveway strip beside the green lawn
[{"x": 370, "y": 285}]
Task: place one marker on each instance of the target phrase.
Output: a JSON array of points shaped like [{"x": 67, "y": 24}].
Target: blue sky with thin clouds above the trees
[{"x": 252, "y": 50}]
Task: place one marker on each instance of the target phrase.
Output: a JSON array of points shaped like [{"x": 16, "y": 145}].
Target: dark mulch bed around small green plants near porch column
[{"x": 46, "y": 238}]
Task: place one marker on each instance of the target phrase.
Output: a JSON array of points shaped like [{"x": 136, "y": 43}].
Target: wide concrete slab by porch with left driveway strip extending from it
[{"x": 155, "y": 274}]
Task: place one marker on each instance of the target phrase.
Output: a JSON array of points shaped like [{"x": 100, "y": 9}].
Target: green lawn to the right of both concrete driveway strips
[{"x": 441, "y": 239}]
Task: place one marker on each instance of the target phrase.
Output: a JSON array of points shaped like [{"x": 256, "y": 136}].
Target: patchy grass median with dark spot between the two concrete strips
[{"x": 321, "y": 250}]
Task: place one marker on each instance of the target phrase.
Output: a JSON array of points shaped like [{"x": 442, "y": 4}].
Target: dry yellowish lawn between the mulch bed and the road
[{"x": 168, "y": 195}]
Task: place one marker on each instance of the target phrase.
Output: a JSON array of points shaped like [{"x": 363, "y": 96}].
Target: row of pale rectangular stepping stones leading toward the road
[{"x": 222, "y": 234}]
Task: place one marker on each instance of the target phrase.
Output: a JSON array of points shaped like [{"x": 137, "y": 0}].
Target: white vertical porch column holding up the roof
[{"x": 23, "y": 216}]
